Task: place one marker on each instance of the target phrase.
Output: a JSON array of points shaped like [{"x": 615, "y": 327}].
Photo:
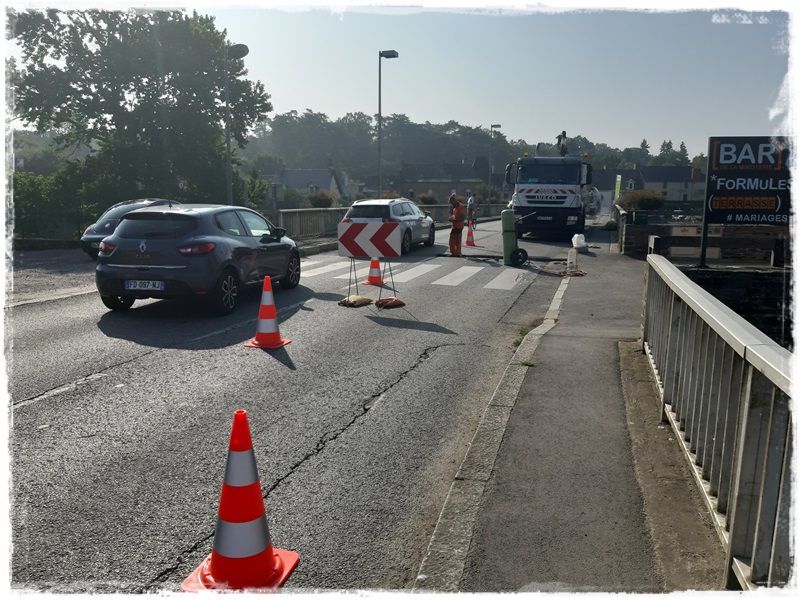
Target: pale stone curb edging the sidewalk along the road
[{"x": 443, "y": 566}]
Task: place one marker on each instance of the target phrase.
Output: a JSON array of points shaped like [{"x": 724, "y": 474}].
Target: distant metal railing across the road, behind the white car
[{"x": 313, "y": 222}]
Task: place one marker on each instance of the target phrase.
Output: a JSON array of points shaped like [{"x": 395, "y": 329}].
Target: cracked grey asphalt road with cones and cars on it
[{"x": 121, "y": 420}]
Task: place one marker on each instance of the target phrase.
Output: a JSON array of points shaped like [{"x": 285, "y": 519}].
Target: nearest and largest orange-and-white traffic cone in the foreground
[{"x": 243, "y": 555}]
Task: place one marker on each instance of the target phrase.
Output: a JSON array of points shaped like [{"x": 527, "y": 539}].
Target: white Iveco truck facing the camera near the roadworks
[{"x": 551, "y": 194}]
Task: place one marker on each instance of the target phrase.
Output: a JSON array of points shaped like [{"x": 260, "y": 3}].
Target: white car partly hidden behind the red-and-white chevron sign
[{"x": 416, "y": 226}]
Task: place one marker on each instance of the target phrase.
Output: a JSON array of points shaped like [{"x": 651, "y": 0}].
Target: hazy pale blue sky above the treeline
[{"x": 613, "y": 76}]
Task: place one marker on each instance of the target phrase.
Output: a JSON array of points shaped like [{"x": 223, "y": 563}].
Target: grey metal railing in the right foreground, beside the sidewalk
[{"x": 725, "y": 390}]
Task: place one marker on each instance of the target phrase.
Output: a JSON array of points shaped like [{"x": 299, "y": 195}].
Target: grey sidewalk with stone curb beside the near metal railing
[{"x": 586, "y": 491}]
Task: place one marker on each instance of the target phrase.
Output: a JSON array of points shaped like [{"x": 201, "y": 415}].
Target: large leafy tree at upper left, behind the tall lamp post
[{"x": 139, "y": 88}]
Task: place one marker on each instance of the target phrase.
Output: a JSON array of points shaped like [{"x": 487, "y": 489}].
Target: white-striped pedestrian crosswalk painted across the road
[{"x": 447, "y": 272}]
